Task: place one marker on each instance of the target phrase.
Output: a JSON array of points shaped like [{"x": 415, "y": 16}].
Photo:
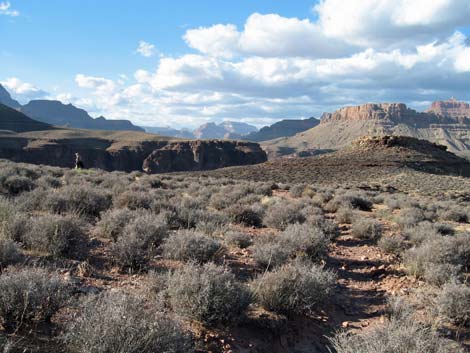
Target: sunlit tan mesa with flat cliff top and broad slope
[{"x": 340, "y": 128}]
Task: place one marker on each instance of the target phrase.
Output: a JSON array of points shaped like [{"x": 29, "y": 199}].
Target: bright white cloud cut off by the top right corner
[{"x": 373, "y": 23}]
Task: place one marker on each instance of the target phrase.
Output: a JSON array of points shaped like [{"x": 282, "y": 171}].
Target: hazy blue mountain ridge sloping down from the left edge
[{"x": 59, "y": 114}]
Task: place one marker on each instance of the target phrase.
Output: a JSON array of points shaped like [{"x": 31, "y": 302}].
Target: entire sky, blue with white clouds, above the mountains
[{"x": 182, "y": 63}]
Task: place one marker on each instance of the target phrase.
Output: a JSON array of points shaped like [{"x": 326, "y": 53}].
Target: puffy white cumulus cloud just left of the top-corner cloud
[{"x": 268, "y": 35}]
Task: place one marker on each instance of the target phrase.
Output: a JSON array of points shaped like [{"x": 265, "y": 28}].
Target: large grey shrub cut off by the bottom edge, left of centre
[{"x": 116, "y": 322}]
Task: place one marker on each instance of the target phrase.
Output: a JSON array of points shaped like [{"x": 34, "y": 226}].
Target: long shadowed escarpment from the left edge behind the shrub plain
[{"x": 126, "y": 151}]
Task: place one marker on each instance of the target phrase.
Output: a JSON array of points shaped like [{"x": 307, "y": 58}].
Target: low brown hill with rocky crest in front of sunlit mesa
[{"x": 365, "y": 159}]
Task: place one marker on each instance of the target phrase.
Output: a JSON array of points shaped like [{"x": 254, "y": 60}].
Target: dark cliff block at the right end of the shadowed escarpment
[{"x": 203, "y": 155}]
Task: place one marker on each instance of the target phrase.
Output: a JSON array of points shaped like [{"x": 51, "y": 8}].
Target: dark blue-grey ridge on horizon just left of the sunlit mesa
[{"x": 283, "y": 128}]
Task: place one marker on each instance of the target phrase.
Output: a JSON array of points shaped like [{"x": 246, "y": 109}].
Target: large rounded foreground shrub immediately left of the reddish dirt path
[{"x": 295, "y": 288}]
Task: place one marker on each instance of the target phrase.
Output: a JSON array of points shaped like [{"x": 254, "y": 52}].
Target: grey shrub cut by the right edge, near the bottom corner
[{"x": 453, "y": 303}]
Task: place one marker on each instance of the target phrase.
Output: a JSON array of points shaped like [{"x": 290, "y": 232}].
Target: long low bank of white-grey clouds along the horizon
[{"x": 191, "y": 89}]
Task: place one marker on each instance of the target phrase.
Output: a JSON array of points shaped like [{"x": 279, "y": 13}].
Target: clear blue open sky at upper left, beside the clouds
[{"x": 52, "y": 40}]
